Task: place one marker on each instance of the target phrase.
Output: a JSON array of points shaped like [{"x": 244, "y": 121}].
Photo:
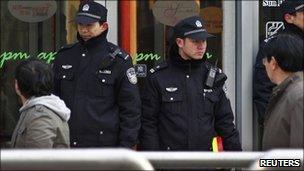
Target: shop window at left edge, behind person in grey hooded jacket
[{"x": 29, "y": 28}]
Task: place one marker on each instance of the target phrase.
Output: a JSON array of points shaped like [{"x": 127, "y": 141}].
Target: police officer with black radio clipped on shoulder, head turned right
[{"x": 182, "y": 111}]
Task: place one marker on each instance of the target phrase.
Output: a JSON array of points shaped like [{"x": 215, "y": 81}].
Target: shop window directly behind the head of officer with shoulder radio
[{"x": 154, "y": 29}]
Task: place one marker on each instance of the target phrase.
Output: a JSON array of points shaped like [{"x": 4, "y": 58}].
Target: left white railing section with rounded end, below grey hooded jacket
[{"x": 73, "y": 159}]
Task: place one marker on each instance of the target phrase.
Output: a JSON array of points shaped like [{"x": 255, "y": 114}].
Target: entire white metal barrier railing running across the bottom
[{"x": 122, "y": 159}]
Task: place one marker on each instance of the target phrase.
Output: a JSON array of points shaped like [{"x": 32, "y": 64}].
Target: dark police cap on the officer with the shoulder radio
[{"x": 191, "y": 27}]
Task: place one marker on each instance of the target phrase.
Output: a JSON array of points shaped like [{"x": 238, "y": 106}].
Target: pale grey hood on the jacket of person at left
[{"x": 52, "y": 102}]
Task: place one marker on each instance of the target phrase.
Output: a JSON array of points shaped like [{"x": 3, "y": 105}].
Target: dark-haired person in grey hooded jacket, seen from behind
[{"x": 44, "y": 116}]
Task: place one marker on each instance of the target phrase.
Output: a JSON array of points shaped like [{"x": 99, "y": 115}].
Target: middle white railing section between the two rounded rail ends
[{"x": 194, "y": 160}]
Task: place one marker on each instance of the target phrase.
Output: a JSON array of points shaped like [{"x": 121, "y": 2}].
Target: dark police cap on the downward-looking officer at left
[{"x": 91, "y": 12}]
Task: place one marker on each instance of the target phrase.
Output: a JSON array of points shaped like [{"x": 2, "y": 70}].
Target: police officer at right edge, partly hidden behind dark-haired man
[{"x": 292, "y": 12}]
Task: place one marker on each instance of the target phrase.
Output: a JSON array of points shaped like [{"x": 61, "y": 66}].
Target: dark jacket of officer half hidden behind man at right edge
[{"x": 262, "y": 86}]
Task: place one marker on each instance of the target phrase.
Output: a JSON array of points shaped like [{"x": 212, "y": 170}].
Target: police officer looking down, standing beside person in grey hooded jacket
[{"x": 97, "y": 81}]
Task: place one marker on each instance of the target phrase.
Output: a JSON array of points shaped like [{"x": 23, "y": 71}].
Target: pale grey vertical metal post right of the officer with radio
[{"x": 247, "y": 46}]
